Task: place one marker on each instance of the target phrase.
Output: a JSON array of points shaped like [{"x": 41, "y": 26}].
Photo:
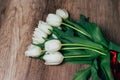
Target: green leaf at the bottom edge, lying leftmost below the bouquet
[{"x": 82, "y": 74}]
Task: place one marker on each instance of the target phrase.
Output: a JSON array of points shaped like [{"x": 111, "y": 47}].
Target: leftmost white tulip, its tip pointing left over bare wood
[{"x": 33, "y": 51}]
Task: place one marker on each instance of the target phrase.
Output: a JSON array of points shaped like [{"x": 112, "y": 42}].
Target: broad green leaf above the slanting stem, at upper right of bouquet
[{"x": 95, "y": 32}]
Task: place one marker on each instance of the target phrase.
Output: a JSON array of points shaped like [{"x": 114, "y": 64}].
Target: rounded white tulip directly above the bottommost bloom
[{"x": 53, "y": 45}]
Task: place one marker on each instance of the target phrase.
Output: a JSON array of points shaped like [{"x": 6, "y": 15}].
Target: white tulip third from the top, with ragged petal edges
[{"x": 44, "y": 27}]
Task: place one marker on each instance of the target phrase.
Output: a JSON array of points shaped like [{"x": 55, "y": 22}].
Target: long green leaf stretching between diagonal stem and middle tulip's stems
[{"x": 65, "y": 38}]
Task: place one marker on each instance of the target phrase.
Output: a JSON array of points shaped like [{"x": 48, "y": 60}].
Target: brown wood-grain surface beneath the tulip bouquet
[{"x": 18, "y": 18}]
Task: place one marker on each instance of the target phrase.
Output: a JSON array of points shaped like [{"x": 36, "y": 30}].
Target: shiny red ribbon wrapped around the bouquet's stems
[{"x": 115, "y": 65}]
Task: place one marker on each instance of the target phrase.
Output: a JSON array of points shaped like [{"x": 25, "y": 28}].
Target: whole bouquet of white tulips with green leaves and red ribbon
[{"x": 61, "y": 39}]
